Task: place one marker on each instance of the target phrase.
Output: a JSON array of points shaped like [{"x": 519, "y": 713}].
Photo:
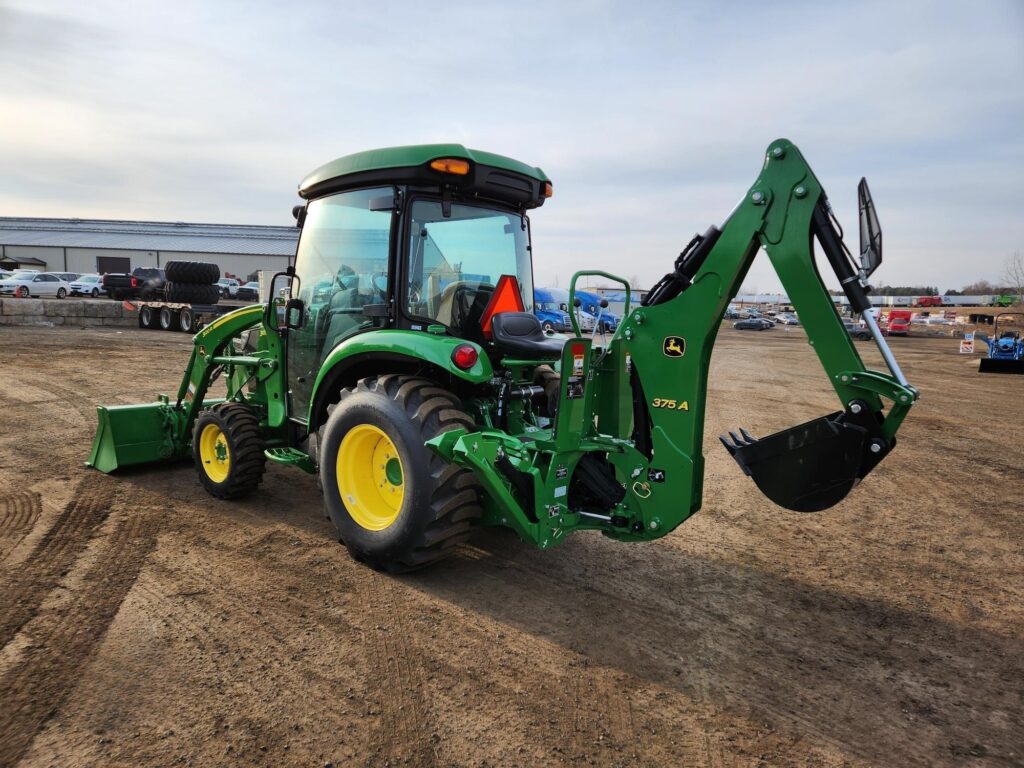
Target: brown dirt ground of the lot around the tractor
[{"x": 144, "y": 623}]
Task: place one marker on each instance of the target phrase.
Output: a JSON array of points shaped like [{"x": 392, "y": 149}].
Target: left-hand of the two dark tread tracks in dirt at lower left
[{"x": 24, "y": 589}]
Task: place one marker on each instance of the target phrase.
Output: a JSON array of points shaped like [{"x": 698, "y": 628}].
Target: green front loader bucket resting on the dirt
[{"x": 133, "y": 435}]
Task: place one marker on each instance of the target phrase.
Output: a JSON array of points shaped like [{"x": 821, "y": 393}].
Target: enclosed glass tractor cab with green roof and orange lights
[{"x": 415, "y": 239}]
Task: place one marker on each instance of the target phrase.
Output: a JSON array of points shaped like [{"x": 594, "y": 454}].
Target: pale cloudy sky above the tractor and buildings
[{"x": 652, "y": 118}]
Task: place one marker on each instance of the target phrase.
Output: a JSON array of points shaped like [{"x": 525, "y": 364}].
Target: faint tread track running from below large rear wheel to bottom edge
[{"x": 404, "y": 734}]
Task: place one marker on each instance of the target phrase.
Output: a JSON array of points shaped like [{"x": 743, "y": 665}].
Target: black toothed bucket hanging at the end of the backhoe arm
[{"x": 813, "y": 466}]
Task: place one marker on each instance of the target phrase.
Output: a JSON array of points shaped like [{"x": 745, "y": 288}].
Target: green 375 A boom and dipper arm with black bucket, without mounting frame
[{"x": 808, "y": 467}]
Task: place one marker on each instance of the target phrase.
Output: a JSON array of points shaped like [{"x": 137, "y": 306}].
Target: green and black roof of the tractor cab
[{"x": 491, "y": 176}]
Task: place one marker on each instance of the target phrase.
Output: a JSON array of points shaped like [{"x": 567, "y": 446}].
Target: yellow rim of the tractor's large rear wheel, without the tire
[{"x": 371, "y": 479}]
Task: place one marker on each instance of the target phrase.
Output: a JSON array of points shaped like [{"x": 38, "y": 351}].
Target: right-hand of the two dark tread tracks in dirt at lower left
[{"x": 65, "y": 638}]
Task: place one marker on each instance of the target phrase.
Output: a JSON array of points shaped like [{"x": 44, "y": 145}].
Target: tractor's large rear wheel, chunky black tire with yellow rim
[{"x": 397, "y": 505}]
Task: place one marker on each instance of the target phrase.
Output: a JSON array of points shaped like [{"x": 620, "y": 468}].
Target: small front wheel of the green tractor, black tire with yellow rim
[{"x": 228, "y": 447}]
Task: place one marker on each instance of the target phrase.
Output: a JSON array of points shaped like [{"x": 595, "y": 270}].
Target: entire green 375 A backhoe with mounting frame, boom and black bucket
[{"x": 625, "y": 455}]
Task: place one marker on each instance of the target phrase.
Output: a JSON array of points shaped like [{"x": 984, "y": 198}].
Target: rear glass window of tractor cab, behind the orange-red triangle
[{"x": 456, "y": 262}]
